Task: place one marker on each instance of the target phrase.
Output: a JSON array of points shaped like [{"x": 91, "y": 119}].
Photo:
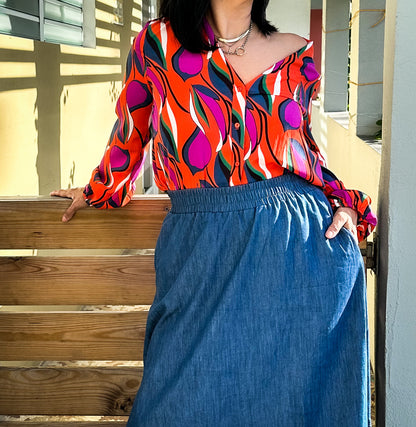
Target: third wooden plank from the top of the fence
[{"x": 72, "y": 335}]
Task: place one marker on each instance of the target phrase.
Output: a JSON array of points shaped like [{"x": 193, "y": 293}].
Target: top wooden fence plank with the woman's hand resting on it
[{"x": 36, "y": 224}]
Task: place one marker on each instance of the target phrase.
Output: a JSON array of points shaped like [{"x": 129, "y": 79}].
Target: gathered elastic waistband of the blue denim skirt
[{"x": 246, "y": 196}]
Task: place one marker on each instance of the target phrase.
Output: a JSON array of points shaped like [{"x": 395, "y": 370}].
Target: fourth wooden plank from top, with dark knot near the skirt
[{"x": 68, "y": 391}]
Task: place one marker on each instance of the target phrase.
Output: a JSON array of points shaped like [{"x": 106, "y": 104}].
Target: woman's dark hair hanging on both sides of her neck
[{"x": 187, "y": 16}]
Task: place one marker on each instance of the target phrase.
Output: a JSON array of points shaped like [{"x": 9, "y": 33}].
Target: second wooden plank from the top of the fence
[{"x": 115, "y": 280}]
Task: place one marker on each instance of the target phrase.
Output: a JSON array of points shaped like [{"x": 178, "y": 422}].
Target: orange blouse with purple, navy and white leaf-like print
[{"x": 209, "y": 128}]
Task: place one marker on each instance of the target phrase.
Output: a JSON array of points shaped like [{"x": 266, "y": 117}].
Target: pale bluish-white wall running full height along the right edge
[{"x": 397, "y": 210}]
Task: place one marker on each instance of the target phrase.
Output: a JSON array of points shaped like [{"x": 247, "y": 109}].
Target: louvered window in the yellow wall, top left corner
[{"x": 54, "y": 21}]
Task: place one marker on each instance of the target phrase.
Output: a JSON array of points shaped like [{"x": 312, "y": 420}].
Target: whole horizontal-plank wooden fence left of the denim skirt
[{"x": 62, "y": 353}]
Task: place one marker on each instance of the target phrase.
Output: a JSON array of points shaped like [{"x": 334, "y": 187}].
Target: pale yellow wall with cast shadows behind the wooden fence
[{"x": 57, "y": 104}]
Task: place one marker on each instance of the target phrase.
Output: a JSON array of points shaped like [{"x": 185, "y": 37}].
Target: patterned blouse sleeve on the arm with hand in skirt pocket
[{"x": 334, "y": 189}]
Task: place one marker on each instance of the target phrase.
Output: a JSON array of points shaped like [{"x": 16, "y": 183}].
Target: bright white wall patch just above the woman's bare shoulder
[{"x": 291, "y": 17}]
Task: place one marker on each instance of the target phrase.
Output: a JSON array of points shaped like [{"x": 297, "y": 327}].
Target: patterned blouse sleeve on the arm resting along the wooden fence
[{"x": 112, "y": 182}]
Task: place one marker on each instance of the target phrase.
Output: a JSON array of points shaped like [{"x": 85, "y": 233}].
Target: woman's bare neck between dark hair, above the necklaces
[{"x": 230, "y": 18}]
